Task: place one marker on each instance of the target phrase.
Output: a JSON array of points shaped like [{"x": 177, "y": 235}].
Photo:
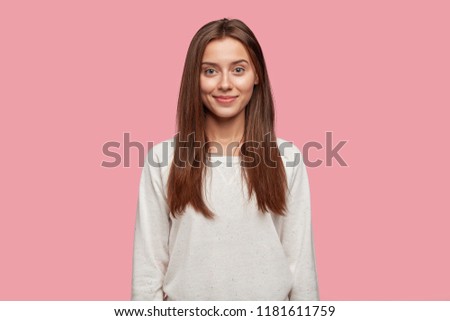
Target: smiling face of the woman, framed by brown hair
[{"x": 227, "y": 77}]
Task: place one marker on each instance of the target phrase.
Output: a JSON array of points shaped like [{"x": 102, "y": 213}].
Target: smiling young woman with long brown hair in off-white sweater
[{"x": 224, "y": 205}]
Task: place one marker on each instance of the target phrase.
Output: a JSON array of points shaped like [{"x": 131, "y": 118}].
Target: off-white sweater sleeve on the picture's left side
[{"x": 151, "y": 235}]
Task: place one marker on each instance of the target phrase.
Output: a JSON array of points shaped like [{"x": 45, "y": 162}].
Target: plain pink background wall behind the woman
[{"x": 75, "y": 75}]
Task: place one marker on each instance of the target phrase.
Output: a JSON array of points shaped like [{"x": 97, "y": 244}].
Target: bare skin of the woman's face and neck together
[{"x": 226, "y": 70}]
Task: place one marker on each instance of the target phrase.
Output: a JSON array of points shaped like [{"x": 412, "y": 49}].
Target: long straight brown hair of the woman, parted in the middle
[{"x": 185, "y": 180}]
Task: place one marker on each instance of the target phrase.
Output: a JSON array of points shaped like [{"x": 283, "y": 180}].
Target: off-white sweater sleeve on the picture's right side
[{"x": 297, "y": 236}]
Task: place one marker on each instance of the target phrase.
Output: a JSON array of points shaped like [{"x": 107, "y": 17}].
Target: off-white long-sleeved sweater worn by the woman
[{"x": 241, "y": 254}]
